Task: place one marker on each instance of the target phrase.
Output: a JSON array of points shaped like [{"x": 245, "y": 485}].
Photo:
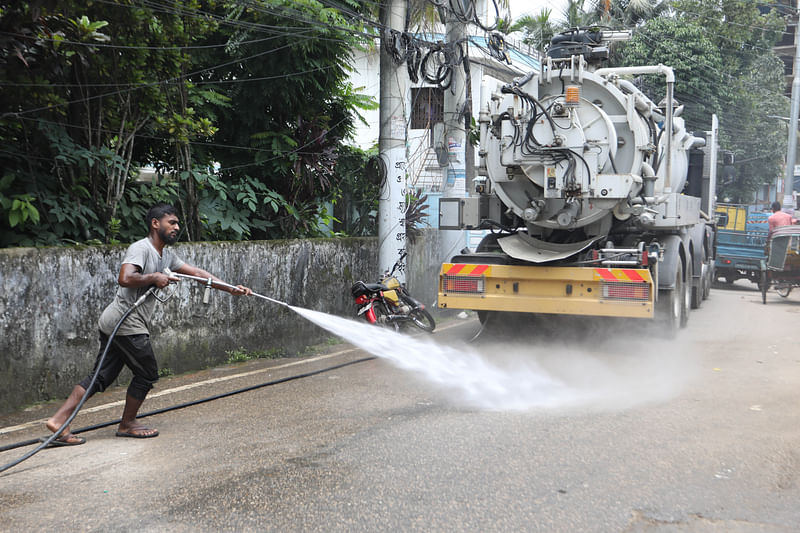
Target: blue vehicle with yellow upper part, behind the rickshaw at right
[{"x": 741, "y": 242}]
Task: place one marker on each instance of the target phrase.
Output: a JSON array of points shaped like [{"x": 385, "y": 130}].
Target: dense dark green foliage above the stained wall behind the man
[{"x": 246, "y": 136}]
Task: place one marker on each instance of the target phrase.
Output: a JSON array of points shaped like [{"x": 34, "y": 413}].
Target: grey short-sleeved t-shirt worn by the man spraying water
[{"x": 144, "y": 255}]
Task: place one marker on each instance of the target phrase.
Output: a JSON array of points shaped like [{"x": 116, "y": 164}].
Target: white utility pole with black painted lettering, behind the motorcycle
[{"x": 392, "y": 143}]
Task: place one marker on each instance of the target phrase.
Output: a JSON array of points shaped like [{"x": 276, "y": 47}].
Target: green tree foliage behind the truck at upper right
[{"x": 724, "y": 64}]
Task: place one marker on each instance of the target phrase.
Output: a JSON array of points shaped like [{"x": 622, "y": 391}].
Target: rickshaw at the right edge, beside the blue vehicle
[{"x": 781, "y": 269}]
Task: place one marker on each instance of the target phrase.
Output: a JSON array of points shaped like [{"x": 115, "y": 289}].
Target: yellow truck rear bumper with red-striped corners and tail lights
[{"x": 612, "y": 292}]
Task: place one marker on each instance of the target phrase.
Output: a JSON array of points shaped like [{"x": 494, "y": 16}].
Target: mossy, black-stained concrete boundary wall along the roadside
[{"x": 52, "y": 297}]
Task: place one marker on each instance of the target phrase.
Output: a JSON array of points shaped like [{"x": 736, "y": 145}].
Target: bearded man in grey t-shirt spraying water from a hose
[{"x": 142, "y": 268}]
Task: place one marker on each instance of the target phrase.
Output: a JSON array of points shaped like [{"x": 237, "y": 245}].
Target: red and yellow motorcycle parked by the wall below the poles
[{"x": 389, "y": 304}]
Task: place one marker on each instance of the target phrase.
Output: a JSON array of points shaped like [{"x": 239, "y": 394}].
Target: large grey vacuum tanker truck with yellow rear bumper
[{"x": 592, "y": 193}]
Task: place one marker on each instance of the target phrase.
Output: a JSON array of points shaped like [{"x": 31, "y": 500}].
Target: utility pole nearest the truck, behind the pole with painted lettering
[{"x": 455, "y": 134}]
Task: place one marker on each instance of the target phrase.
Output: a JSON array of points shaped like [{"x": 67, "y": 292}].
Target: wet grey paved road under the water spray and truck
[{"x": 643, "y": 435}]
